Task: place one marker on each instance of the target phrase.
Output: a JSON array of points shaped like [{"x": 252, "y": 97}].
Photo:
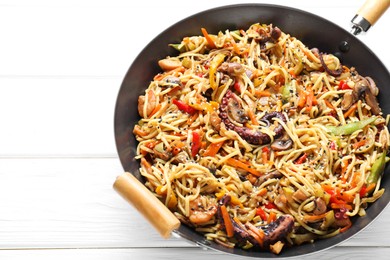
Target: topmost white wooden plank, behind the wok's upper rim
[{"x": 96, "y": 38}]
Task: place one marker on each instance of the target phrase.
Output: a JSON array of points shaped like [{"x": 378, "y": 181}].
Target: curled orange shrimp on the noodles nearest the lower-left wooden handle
[{"x": 199, "y": 214}]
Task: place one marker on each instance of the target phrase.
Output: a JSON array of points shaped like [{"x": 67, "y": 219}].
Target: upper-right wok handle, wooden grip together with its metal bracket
[{"x": 368, "y": 14}]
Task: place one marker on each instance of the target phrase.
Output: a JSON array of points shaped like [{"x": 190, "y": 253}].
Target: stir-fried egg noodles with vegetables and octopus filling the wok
[{"x": 259, "y": 142}]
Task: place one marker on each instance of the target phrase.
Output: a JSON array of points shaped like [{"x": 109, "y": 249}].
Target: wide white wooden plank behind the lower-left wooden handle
[{"x": 70, "y": 203}]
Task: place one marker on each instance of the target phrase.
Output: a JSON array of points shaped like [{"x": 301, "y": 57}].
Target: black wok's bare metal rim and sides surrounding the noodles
[{"x": 312, "y": 30}]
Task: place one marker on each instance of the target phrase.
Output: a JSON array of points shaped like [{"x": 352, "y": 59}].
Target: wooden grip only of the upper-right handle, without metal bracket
[{"x": 372, "y": 10}]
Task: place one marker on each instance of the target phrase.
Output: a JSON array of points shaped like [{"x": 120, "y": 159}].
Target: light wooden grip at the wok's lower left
[{"x": 134, "y": 192}]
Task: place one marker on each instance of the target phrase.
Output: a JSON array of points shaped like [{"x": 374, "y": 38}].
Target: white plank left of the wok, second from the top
[{"x": 57, "y": 116}]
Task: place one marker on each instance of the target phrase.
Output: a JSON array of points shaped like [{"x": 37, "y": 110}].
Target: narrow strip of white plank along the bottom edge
[{"x": 178, "y": 253}]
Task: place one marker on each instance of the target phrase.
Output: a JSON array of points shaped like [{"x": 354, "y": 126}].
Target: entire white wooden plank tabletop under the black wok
[{"x": 61, "y": 66}]
